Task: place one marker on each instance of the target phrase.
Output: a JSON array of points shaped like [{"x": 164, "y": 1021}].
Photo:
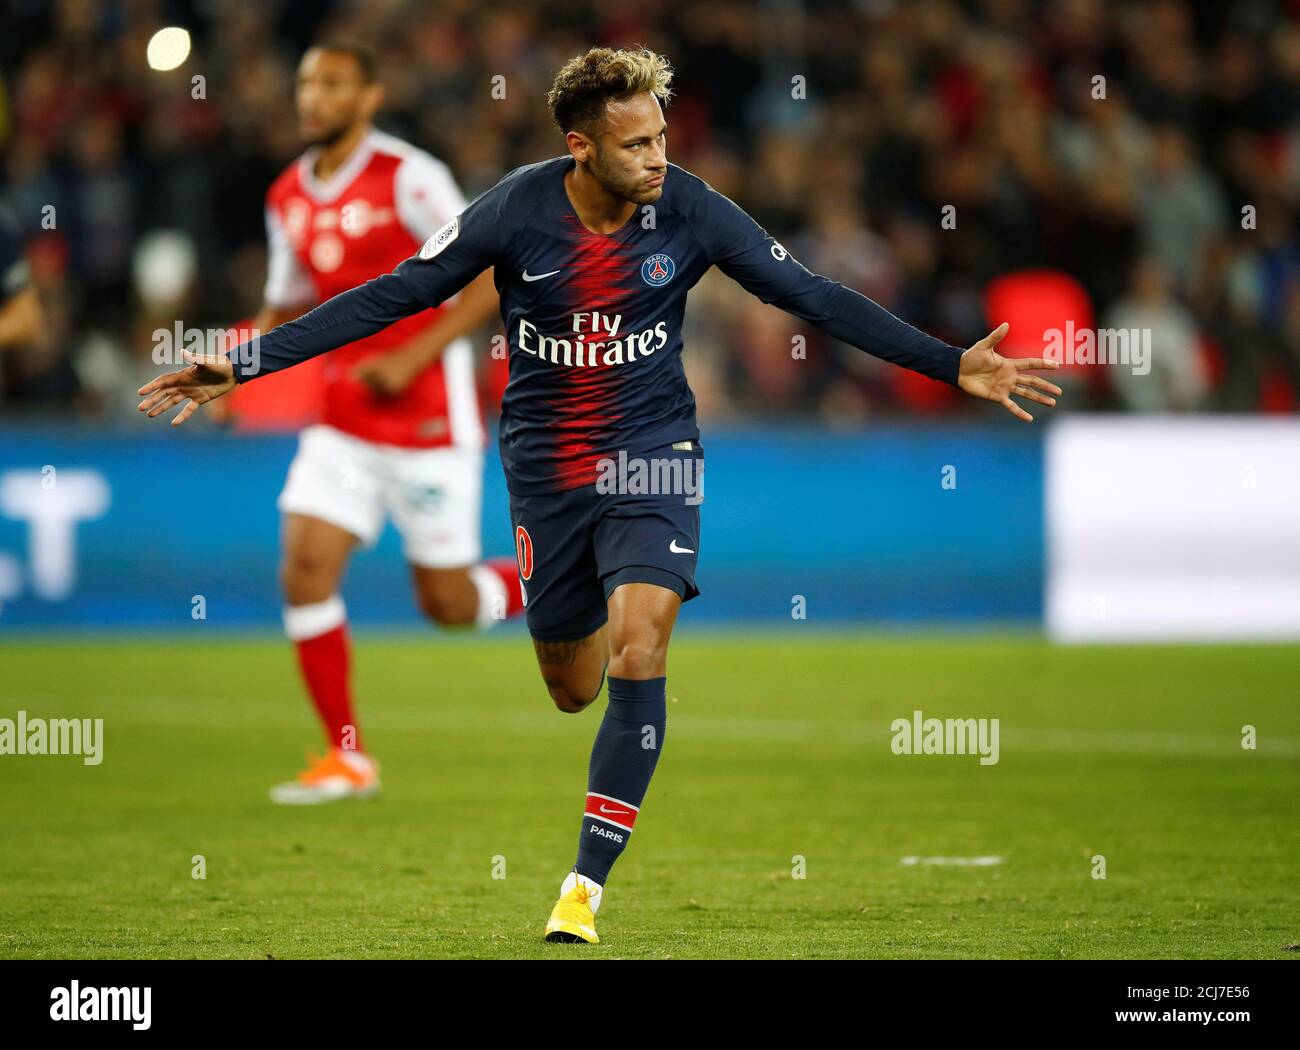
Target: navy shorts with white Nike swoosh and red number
[{"x": 639, "y": 524}]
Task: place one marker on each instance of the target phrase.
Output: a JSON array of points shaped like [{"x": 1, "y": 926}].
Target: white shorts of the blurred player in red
[{"x": 434, "y": 496}]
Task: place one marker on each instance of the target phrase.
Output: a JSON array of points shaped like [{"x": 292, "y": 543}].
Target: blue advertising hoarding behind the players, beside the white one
[{"x": 903, "y": 524}]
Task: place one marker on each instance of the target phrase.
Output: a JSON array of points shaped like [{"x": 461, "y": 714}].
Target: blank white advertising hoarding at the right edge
[{"x": 1173, "y": 530}]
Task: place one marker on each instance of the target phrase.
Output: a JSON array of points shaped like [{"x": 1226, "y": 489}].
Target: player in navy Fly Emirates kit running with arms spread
[{"x": 595, "y": 253}]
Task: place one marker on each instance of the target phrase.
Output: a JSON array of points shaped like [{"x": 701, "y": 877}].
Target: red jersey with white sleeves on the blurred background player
[{"x": 327, "y": 237}]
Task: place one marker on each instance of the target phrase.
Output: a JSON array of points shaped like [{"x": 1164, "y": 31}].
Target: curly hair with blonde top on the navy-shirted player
[{"x": 590, "y": 81}]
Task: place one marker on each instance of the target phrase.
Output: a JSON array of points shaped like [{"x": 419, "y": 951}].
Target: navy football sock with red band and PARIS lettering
[{"x": 623, "y": 760}]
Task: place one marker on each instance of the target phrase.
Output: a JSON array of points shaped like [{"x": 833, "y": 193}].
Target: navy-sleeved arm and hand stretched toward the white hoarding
[{"x": 747, "y": 254}]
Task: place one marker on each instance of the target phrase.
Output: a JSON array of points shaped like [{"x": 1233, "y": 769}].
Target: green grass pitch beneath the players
[{"x": 778, "y": 748}]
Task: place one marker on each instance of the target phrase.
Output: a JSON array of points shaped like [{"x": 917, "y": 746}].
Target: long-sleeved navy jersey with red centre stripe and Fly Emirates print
[{"x": 595, "y": 320}]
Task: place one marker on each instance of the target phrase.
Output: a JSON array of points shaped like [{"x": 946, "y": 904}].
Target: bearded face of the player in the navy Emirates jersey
[{"x": 630, "y": 154}]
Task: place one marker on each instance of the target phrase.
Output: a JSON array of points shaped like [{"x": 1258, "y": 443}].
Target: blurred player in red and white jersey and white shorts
[{"x": 401, "y": 435}]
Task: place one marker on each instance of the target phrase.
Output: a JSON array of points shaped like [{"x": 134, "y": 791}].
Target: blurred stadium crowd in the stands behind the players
[{"x": 1143, "y": 157}]
